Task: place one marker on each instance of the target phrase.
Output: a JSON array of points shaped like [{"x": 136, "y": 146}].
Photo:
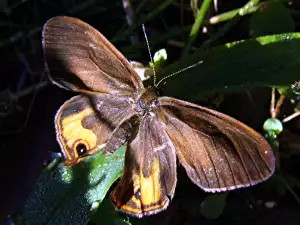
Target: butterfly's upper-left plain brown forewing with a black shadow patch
[{"x": 80, "y": 58}]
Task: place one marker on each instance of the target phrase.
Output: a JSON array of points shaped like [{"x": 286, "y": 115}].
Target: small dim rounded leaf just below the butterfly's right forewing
[{"x": 213, "y": 205}]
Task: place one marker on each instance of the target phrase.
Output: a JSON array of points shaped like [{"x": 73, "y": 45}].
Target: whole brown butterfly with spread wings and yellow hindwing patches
[{"x": 218, "y": 152}]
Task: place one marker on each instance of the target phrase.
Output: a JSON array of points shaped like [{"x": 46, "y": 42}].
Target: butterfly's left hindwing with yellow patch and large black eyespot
[{"x": 86, "y": 123}]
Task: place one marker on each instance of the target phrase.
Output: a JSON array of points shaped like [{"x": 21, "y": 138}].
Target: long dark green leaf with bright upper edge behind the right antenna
[{"x": 266, "y": 61}]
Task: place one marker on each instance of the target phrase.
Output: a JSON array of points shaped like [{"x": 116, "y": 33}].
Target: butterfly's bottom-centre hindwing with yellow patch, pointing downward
[{"x": 149, "y": 178}]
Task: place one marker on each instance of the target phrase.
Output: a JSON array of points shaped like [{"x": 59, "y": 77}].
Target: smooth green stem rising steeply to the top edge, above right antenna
[{"x": 196, "y": 26}]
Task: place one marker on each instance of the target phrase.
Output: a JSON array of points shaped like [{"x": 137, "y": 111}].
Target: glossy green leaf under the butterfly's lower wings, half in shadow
[{"x": 65, "y": 195}]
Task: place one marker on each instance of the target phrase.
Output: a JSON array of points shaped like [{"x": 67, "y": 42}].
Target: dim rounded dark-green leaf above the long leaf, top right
[{"x": 271, "y": 18}]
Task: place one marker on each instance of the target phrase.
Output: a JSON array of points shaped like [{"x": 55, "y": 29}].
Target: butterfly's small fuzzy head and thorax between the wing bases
[{"x": 146, "y": 101}]
